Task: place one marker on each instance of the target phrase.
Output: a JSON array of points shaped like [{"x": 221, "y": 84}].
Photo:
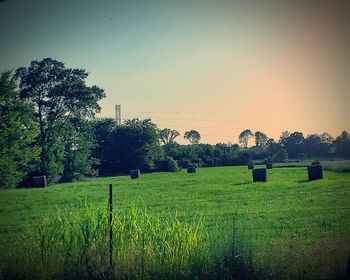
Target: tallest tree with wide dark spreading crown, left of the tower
[{"x": 59, "y": 94}]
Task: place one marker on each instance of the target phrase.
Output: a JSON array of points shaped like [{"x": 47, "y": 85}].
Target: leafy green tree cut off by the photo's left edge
[{"x": 18, "y": 130}]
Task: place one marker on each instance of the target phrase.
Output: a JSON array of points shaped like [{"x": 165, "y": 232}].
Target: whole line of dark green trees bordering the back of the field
[{"x": 48, "y": 127}]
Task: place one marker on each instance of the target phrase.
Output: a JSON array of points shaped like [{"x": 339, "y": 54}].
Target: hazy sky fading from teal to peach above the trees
[{"x": 215, "y": 66}]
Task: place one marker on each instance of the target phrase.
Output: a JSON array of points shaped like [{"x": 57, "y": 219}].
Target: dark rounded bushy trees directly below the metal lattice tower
[{"x": 133, "y": 145}]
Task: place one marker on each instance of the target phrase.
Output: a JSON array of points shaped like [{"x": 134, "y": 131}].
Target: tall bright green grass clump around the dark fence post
[{"x": 76, "y": 246}]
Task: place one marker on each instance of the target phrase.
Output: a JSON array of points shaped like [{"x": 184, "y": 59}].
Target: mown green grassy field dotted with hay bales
[{"x": 285, "y": 228}]
